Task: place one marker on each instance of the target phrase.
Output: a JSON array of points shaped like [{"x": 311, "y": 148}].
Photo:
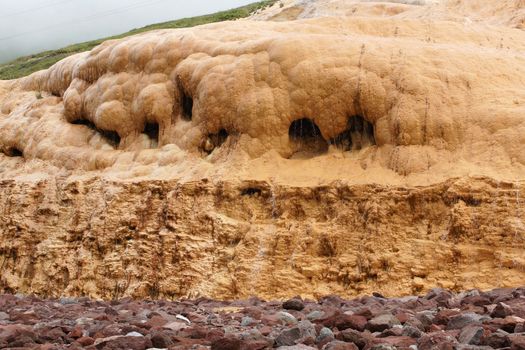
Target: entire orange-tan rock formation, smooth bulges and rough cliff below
[{"x": 380, "y": 151}]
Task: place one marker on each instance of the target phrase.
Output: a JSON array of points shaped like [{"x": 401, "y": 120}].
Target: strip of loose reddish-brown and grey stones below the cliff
[{"x": 438, "y": 320}]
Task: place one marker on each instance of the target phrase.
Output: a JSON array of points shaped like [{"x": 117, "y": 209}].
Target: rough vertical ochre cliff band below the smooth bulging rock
[{"x": 229, "y": 240}]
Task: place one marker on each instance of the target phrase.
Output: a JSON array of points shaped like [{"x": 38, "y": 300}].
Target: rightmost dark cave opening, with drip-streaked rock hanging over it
[{"x": 358, "y": 134}]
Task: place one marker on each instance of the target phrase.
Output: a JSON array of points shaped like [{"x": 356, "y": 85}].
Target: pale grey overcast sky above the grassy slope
[{"x": 32, "y": 26}]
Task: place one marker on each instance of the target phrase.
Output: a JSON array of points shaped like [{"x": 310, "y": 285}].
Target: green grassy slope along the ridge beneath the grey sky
[{"x": 28, "y": 64}]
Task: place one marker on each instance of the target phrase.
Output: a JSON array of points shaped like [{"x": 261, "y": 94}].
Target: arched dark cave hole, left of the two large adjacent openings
[{"x": 306, "y": 137}]
